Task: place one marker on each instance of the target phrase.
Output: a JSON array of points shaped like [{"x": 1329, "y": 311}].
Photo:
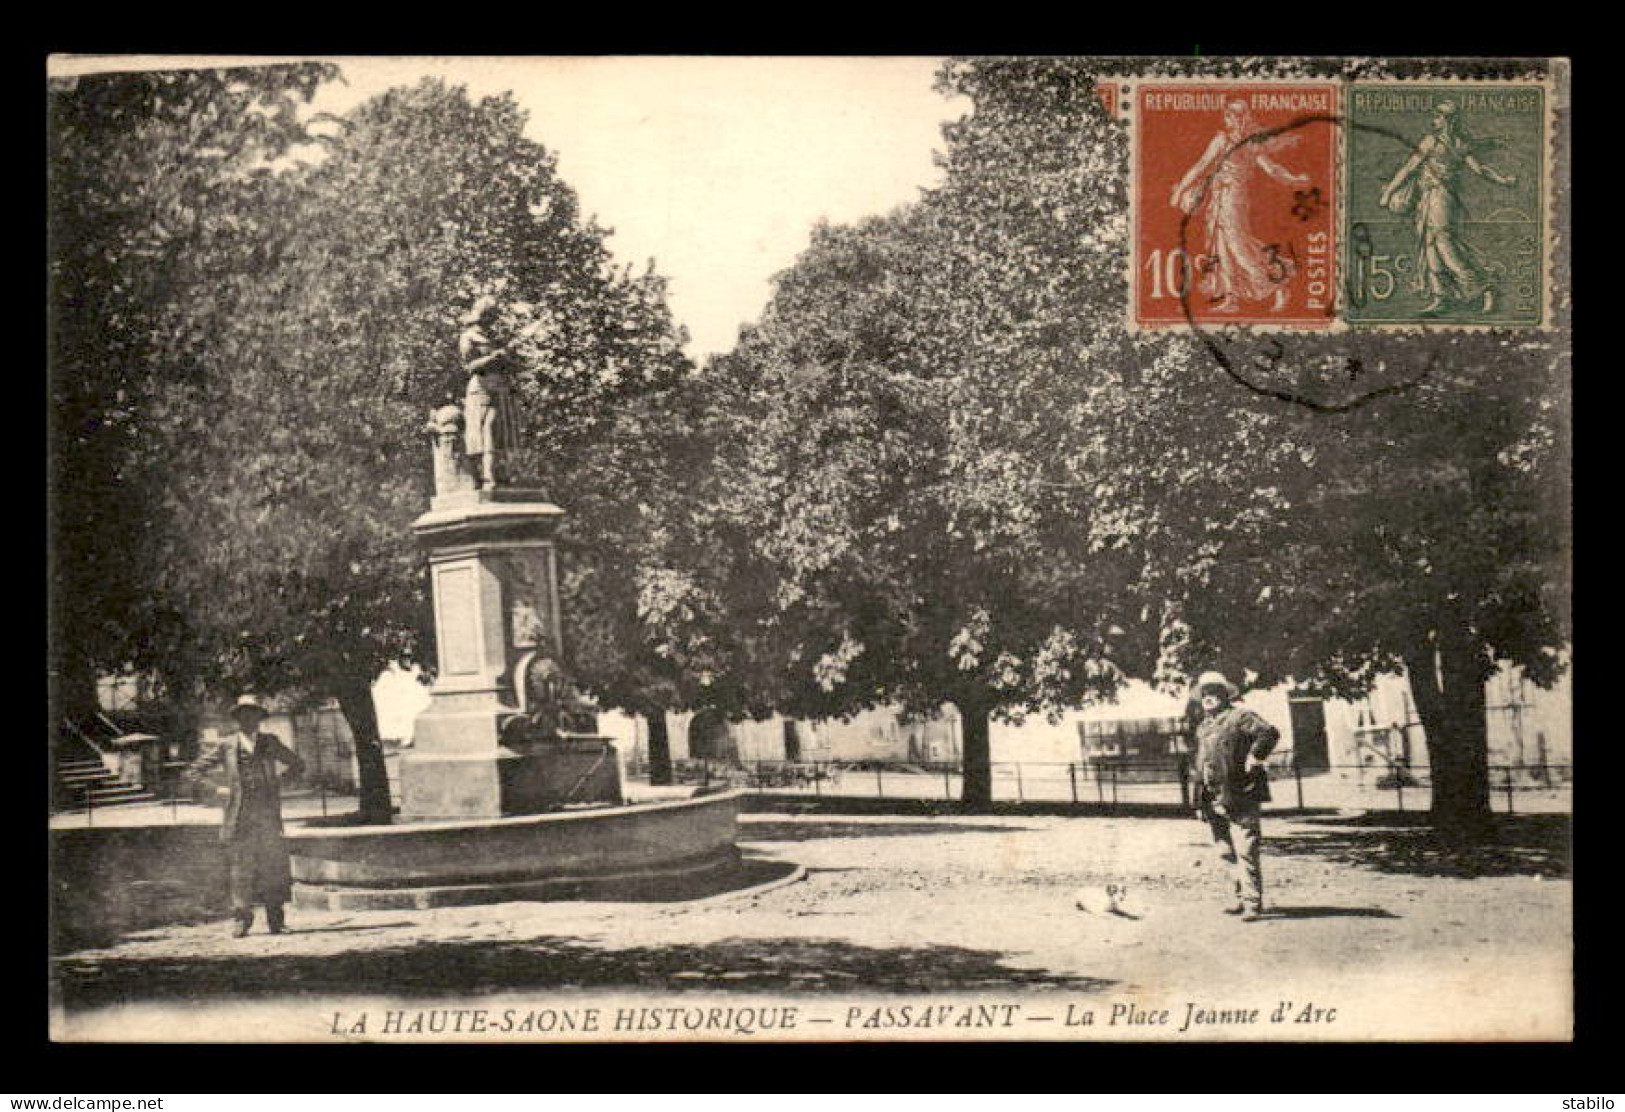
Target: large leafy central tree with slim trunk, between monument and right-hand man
[{"x": 878, "y": 466}]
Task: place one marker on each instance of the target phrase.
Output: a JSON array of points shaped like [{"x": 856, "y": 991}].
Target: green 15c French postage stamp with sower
[{"x": 1445, "y": 201}]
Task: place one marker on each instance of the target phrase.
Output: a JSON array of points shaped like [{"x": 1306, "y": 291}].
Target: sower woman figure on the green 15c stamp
[{"x": 1431, "y": 181}]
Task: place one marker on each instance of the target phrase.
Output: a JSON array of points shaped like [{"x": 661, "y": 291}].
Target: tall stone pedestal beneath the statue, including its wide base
[{"x": 495, "y": 578}]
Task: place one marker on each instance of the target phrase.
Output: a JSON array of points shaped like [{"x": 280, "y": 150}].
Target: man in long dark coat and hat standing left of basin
[{"x": 253, "y": 825}]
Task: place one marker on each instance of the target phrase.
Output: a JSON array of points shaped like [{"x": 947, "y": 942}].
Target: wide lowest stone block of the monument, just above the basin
[{"x": 509, "y": 781}]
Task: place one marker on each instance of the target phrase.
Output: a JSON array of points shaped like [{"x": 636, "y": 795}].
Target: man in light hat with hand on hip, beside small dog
[{"x": 1231, "y": 749}]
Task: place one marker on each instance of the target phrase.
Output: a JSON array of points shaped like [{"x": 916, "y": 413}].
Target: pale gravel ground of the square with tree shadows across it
[{"x": 1366, "y": 914}]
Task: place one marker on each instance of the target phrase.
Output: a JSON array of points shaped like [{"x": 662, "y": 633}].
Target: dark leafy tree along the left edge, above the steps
[{"x": 155, "y": 189}]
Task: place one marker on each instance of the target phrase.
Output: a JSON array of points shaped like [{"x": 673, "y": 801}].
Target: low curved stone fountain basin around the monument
[{"x": 435, "y": 864}]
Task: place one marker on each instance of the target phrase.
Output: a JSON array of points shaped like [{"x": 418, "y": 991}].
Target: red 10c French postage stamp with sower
[{"x": 1236, "y": 204}]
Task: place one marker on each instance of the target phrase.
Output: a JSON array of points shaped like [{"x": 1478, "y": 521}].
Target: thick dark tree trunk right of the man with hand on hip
[{"x": 1447, "y": 679}]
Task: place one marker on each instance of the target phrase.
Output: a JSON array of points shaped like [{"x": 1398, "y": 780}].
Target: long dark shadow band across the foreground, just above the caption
[{"x": 483, "y": 966}]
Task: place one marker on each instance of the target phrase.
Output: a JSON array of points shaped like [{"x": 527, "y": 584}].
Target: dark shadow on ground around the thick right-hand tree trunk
[{"x": 1517, "y": 846}]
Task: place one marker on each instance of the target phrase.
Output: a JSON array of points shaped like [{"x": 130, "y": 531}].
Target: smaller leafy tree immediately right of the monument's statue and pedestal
[{"x": 670, "y": 602}]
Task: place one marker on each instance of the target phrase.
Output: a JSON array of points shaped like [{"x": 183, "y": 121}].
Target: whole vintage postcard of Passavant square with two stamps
[{"x": 810, "y": 550}]
